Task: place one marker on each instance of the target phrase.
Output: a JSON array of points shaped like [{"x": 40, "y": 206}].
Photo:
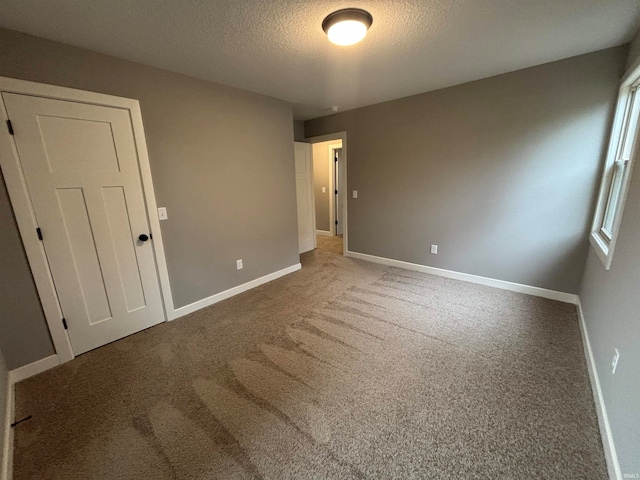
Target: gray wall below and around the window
[{"x": 611, "y": 307}]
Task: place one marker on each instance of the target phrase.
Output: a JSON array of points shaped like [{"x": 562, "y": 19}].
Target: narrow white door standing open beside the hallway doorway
[{"x": 304, "y": 193}]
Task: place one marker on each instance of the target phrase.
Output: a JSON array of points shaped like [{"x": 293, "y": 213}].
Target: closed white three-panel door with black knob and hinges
[{"x": 81, "y": 168}]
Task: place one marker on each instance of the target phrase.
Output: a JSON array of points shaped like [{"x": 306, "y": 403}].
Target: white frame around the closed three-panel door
[{"x": 23, "y": 209}]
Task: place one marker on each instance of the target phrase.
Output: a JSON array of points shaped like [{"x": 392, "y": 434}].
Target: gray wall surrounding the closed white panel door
[{"x": 222, "y": 164}]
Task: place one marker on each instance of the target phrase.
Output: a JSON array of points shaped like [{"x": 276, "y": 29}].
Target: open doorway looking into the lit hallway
[{"x": 329, "y": 157}]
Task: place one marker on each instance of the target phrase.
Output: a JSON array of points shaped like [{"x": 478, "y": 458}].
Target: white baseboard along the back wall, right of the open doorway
[{"x": 466, "y": 277}]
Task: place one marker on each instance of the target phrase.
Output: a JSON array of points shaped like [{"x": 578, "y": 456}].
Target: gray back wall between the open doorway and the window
[{"x": 501, "y": 173}]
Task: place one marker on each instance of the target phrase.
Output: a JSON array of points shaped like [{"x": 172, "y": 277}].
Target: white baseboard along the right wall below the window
[{"x": 603, "y": 420}]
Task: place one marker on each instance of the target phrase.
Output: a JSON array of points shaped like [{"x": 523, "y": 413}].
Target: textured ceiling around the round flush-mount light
[{"x": 278, "y": 47}]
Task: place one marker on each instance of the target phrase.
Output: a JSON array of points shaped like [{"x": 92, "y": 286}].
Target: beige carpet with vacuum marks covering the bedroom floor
[{"x": 344, "y": 370}]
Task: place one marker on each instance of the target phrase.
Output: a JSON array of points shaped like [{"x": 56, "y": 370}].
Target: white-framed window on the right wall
[{"x": 618, "y": 166}]
